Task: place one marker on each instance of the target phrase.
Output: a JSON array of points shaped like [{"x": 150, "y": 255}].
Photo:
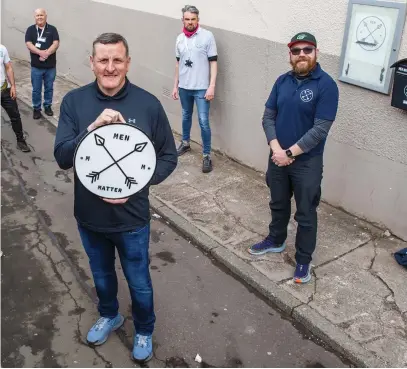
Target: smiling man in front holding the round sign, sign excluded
[{"x": 125, "y": 223}]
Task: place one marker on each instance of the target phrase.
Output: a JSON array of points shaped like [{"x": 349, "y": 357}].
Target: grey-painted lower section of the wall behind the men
[{"x": 366, "y": 157}]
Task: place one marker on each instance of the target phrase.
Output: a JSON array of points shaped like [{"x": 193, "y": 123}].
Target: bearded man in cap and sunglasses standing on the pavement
[{"x": 298, "y": 116}]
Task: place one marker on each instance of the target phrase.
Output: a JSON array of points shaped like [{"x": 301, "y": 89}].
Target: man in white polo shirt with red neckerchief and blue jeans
[{"x": 195, "y": 79}]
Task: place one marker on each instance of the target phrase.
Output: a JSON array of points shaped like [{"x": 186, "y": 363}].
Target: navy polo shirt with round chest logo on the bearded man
[{"x": 299, "y": 104}]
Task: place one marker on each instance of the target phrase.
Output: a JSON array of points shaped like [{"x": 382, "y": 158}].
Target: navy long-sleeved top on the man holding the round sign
[{"x": 81, "y": 107}]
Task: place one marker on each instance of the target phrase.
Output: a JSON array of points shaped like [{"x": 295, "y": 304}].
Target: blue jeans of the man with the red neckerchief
[{"x": 188, "y": 97}]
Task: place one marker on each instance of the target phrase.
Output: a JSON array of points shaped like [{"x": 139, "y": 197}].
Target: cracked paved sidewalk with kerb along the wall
[{"x": 357, "y": 300}]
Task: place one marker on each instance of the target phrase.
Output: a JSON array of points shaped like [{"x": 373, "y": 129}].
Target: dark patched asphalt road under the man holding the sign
[{"x": 48, "y": 295}]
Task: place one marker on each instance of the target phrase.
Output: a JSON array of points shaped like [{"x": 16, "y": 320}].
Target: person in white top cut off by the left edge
[{"x": 9, "y": 98}]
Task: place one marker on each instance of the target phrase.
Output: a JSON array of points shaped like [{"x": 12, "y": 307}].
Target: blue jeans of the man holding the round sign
[{"x": 132, "y": 248}]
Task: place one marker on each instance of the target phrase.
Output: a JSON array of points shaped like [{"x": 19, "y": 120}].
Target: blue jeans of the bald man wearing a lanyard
[{"x": 37, "y": 76}]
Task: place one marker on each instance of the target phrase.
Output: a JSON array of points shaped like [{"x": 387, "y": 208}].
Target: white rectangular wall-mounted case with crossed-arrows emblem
[{"x": 371, "y": 43}]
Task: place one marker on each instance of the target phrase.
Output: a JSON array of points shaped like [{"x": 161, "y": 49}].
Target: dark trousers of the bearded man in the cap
[{"x": 303, "y": 179}]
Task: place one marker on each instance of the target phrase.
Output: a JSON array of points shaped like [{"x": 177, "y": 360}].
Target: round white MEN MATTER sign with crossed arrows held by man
[{"x": 115, "y": 161}]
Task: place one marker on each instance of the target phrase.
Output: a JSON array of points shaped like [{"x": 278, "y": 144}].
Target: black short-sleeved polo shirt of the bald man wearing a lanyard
[{"x": 50, "y": 35}]
